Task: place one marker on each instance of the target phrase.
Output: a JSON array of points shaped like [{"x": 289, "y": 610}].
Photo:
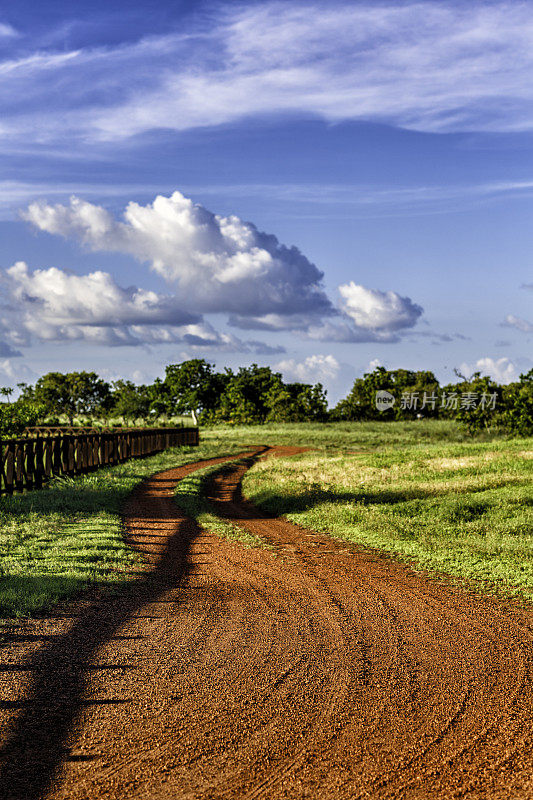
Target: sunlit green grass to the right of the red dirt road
[{"x": 461, "y": 509}]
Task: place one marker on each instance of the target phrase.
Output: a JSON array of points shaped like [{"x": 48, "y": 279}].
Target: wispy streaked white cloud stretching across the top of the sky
[{"x": 429, "y": 66}]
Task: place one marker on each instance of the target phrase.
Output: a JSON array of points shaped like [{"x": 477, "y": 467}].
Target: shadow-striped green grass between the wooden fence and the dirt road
[{"x": 58, "y": 541}]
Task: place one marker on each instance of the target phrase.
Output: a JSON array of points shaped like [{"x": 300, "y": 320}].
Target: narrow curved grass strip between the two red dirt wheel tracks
[{"x": 190, "y": 496}]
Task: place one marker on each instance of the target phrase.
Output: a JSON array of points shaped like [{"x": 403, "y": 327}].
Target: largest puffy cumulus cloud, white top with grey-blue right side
[{"x": 217, "y": 263}]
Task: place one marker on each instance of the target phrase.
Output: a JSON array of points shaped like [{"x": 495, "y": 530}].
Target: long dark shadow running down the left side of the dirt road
[{"x": 35, "y": 746}]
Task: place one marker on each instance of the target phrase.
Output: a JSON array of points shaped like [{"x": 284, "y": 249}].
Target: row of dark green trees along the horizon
[{"x": 256, "y": 394}]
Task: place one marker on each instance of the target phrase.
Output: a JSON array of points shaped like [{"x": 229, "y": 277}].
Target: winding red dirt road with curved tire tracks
[{"x": 312, "y": 670}]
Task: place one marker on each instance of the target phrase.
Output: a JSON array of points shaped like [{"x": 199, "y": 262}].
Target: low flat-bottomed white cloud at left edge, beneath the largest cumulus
[{"x": 55, "y": 305}]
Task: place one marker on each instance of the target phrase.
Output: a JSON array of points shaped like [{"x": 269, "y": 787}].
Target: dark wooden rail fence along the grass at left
[{"x": 29, "y": 462}]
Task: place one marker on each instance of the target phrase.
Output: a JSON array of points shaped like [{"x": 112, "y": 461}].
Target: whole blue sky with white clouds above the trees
[{"x": 318, "y": 187}]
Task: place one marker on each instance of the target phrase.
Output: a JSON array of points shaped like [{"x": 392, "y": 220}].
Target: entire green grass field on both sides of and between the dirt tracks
[{"x": 422, "y": 490}]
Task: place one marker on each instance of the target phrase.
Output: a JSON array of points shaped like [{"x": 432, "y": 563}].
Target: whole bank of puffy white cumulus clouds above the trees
[{"x": 213, "y": 265}]
